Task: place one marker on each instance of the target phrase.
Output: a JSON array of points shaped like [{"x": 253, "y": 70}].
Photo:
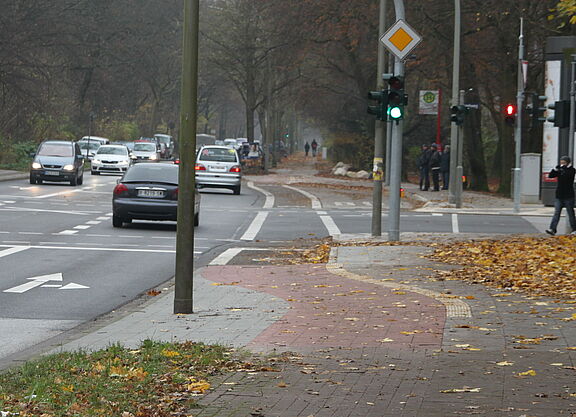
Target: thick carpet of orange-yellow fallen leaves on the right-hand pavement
[{"x": 536, "y": 266}]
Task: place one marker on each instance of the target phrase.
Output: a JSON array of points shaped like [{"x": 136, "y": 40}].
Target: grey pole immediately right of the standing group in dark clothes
[{"x": 454, "y": 197}]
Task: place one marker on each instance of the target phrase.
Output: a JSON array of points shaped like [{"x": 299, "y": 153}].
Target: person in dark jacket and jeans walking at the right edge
[{"x": 565, "y": 173}]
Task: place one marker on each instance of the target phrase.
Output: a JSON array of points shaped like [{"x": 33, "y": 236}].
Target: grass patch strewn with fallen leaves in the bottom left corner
[{"x": 158, "y": 379}]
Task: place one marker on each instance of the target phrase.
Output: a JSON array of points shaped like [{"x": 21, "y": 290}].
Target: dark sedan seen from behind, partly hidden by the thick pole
[{"x": 148, "y": 192}]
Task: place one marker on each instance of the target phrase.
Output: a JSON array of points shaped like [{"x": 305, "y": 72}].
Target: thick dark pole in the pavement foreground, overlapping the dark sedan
[{"x": 183, "y": 302}]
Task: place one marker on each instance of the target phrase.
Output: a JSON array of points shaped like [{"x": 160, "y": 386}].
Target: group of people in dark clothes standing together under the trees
[{"x": 434, "y": 162}]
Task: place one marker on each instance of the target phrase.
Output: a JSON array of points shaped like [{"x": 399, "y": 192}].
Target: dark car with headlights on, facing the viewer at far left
[{"x": 59, "y": 161}]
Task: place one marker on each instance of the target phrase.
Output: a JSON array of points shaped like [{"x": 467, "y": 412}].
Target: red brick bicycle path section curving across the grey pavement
[{"x": 330, "y": 311}]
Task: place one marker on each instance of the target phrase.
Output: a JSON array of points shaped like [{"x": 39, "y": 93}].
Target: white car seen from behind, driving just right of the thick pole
[{"x": 218, "y": 167}]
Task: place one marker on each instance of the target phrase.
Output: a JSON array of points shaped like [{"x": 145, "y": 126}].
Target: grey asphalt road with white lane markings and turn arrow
[{"x": 63, "y": 264}]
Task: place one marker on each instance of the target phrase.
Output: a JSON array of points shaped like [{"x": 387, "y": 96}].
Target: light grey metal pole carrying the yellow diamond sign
[{"x": 396, "y": 153}]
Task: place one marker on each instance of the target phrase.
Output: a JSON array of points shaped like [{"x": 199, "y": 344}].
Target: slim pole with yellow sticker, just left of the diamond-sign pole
[{"x": 378, "y": 169}]
